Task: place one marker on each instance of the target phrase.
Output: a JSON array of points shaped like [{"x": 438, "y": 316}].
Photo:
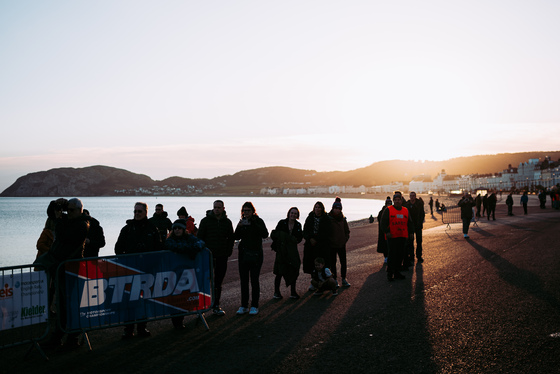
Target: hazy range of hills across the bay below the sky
[{"x": 104, "y": 180}]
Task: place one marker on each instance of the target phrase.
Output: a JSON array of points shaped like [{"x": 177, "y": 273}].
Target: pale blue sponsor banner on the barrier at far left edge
[{"x": 23, "y": 298}]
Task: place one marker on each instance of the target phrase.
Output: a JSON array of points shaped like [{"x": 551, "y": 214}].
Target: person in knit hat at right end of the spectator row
[{"x": 340, "y": 233}]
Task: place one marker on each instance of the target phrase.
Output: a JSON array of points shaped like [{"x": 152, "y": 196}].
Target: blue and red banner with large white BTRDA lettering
[{"x": 113, "y": 290}]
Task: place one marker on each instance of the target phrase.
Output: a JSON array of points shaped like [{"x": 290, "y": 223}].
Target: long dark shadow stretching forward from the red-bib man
[{"x": 384, "y": 330}]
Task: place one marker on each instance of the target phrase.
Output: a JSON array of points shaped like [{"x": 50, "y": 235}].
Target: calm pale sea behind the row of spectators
[{"x": 23, "y": 219}]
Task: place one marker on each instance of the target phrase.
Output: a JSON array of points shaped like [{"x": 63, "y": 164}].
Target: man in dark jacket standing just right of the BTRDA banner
[{"x": 216, "y": 230}]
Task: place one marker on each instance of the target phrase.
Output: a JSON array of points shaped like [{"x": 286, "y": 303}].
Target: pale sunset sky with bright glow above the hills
[{"x": 200, "y": 89}]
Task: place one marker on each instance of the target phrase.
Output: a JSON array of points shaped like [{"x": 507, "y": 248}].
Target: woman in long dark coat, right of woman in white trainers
[{"x": 285, "y": 239}]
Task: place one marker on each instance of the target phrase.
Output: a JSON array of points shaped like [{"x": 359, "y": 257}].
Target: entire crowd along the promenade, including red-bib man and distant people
[{"x": 71, "y": 233}]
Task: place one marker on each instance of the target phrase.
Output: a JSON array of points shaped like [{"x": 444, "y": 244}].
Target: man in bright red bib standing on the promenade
[{"x": 397, "y": 225}]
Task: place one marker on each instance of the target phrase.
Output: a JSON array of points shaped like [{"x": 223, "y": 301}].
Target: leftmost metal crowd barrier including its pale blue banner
[{"x": 24, "y": 306}]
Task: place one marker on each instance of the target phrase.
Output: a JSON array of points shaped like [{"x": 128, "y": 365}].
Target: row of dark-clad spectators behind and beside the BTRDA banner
[{"x": 71, "y": 233}]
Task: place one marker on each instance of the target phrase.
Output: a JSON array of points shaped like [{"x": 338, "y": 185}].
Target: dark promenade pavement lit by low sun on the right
[{"x": 488, "y": 304}]
